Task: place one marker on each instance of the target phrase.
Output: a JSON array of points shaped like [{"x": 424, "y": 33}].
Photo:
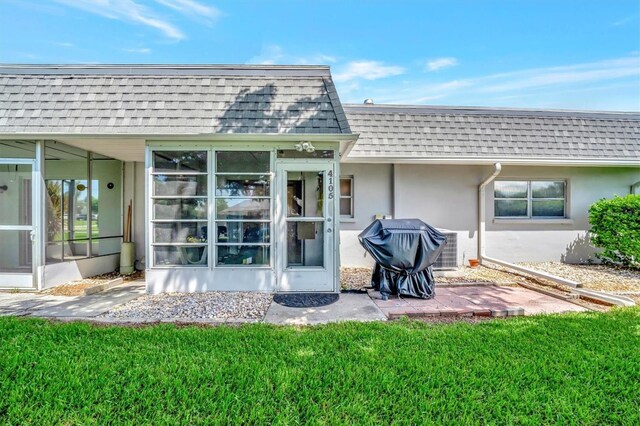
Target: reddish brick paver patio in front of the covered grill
[{"x": 481, "y": 300}]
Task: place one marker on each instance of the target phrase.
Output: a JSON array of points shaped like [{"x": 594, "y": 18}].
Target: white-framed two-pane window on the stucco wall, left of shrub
[{"x": 530, "y": 199}]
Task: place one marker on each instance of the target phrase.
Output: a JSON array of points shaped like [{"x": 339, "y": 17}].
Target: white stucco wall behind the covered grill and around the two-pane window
[{"x": 445, "y": 196}]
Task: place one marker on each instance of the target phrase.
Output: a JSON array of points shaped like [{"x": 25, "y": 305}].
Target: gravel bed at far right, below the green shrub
[{"x": 596, "y": 277}]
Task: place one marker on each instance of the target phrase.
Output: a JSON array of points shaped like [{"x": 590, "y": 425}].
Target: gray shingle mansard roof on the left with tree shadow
[{"x": 169, "y": 100}]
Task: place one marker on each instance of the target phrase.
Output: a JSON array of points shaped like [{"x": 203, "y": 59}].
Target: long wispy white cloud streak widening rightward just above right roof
[{"x": 534, "y": 87}]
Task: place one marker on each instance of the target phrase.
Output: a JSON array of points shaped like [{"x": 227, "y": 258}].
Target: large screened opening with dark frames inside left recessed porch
[{"x": 83, "y": 207}]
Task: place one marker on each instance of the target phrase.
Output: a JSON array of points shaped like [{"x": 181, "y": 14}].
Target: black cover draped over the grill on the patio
[{"x": 404, "y": 250}]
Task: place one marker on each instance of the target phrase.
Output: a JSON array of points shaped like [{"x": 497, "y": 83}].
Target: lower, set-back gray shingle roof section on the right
[{"x": 388, "y": 131}]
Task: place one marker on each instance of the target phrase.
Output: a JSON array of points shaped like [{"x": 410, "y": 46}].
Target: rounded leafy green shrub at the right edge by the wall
[{"x": 615, "y": 228}]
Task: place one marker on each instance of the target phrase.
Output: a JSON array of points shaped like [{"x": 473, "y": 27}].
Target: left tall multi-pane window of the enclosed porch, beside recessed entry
[{"x": 179, "y": 214}]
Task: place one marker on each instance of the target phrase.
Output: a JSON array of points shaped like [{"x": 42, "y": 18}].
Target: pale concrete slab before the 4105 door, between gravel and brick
[{"x": 349, "y": 307}]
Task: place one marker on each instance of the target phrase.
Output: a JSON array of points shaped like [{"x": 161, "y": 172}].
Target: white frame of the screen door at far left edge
[{"x": 25, "y": 280}]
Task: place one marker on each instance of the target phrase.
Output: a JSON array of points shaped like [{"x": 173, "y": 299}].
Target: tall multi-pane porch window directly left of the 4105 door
[{"x": 243, "y": 208}]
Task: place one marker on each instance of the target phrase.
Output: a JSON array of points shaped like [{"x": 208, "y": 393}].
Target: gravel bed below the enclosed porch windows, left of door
[{"x": 210, "y": 305}]
